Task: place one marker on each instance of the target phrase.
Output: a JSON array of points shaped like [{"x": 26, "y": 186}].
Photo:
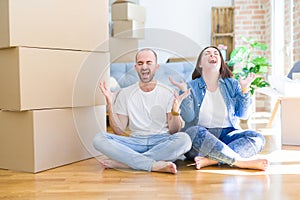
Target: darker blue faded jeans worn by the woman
[{"x": 224, "y": 144}]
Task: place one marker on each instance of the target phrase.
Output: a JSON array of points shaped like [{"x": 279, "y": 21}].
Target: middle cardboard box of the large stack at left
[{"x": 32, "y": 78}]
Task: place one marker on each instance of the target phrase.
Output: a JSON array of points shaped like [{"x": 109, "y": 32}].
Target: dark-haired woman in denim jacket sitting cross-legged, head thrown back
[{"x": 211, "y": 113}]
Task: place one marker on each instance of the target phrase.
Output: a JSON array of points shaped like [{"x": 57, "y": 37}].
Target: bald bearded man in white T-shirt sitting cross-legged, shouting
[{"x": 151, "y": 112}]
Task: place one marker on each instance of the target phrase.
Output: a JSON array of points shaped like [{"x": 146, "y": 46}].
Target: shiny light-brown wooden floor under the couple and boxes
[{"x": 88, "y": 180}]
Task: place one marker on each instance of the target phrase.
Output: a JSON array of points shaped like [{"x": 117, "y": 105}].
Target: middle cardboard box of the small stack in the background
[{"x": 128, "y": 29}]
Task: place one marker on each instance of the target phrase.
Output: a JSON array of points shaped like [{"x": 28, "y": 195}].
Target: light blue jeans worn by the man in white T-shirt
[{"x": 140, "y": 152}]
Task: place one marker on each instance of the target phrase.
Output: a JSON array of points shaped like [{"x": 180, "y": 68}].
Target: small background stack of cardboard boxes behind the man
[{"x": 128, "y": 27}]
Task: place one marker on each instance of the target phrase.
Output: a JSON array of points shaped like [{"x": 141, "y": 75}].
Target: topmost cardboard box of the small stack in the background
[{"x": 127, "y": 11}]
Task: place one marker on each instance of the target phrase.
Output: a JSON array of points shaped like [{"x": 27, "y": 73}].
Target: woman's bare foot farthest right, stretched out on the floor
[{"x": 260, "y": 164}]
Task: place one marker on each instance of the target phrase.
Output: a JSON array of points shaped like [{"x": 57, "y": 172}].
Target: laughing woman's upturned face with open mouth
[{"x": 211, "y": 59}]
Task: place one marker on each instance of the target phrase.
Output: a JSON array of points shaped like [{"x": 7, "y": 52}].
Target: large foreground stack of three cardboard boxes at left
[{"x": 53, "y": 53}]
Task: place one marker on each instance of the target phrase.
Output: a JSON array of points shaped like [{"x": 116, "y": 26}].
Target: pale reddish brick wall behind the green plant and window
[{"x": 253, "y": 19}]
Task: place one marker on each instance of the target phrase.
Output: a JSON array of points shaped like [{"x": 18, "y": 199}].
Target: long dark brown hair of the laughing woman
[{"x": 225, "y": 72}]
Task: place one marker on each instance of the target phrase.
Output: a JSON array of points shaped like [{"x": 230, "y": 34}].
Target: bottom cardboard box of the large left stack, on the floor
[{"x": 34, "y": 141}]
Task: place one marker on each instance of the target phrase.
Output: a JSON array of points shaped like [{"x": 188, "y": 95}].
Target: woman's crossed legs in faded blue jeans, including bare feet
[{"x": 208, "y": 149}]
